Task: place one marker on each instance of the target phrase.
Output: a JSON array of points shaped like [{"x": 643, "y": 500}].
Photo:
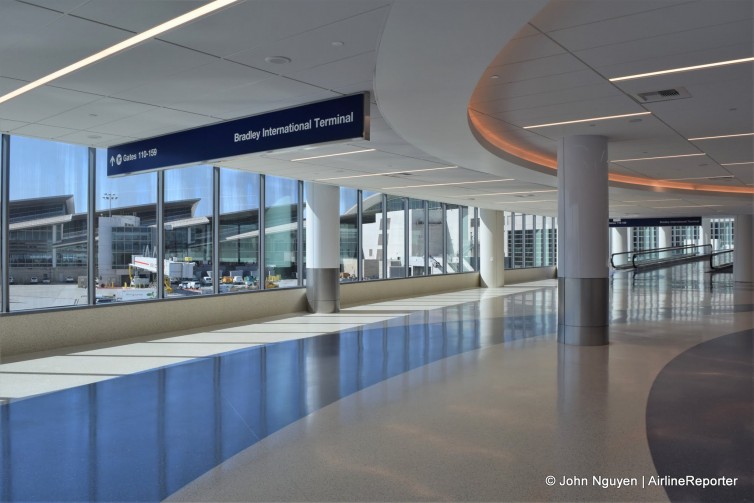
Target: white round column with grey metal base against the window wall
[{"x": 322, "y": 248}]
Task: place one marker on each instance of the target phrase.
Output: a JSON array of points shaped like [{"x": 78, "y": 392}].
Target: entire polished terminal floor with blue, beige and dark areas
[{"x": 455, "y": 397}]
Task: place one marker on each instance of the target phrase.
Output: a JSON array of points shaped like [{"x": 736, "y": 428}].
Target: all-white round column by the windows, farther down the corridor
[{"x": 491, "y": 251}]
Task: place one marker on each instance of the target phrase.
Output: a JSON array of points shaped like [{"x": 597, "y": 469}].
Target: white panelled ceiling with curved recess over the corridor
[{"x": 553, "y": 68}]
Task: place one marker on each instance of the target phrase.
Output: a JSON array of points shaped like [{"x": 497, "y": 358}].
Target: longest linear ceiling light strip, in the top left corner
[{"x": 121, "y": 46}]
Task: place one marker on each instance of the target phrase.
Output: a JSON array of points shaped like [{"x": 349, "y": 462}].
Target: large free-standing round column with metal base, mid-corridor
[{"x": 582, "y": 241}]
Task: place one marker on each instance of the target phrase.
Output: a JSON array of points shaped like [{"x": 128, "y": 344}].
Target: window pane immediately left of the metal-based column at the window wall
[{"x": 280, "y": 232}]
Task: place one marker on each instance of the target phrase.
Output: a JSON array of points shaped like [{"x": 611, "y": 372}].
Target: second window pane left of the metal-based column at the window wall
[{"x": 239, "y": 232}]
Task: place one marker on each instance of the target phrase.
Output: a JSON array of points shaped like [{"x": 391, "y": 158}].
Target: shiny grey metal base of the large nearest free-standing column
[{"x": 583, "y": 311}]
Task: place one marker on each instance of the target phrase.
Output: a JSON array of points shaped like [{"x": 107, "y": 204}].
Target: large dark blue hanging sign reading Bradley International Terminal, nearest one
[{"x": 325, "y": 121}]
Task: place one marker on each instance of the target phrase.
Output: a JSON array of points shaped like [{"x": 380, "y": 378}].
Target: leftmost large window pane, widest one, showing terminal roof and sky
[{"x": 48, "y": 211}]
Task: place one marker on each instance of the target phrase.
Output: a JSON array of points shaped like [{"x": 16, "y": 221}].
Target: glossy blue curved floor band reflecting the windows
[{"x": 141, "y": 437}]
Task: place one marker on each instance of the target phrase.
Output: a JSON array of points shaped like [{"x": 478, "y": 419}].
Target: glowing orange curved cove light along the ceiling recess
[{"x": 497, "y": 140}]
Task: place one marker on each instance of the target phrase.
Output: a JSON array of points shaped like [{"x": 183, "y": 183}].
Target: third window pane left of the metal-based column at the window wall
[{"x": 188, "y": 231}]
